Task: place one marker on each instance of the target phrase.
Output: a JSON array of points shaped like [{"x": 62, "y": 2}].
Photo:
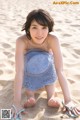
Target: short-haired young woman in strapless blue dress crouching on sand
[{"x": 39, "y": 61}]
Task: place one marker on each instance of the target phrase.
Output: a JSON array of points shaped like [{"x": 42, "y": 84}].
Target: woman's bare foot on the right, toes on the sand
[{"x": 54, "y": 102}]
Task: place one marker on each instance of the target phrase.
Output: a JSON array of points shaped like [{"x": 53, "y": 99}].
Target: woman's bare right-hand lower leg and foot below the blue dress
[{"x": 52, "y": 100}]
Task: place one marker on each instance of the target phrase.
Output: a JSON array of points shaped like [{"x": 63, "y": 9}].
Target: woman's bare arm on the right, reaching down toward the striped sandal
[{"x": 55, "y": 46}]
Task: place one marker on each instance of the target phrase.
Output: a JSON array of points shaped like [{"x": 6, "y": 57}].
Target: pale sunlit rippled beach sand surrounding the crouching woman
[{"x": 67, "y": 28}]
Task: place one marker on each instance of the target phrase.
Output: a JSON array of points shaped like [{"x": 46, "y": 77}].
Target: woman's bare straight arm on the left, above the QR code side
[{"x": 19, "y": 69}]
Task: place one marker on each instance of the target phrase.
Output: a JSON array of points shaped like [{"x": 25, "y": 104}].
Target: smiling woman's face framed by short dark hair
[{"x": 38, "y": 32}]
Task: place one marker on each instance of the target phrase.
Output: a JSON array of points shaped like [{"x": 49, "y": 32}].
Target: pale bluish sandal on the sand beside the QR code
[{"x": 16, "y": 115}]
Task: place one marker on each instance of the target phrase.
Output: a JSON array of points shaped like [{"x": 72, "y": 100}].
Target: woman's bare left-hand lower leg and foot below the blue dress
[{"x": 30, "y": 99}]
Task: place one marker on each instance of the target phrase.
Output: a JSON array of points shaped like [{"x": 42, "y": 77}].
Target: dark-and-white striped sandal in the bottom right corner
[{"x": 71, "y": 110}]
